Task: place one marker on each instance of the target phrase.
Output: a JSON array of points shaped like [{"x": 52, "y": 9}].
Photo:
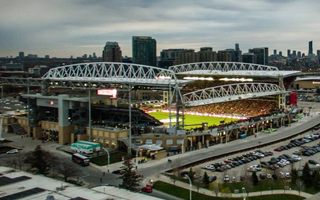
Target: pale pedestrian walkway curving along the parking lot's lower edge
[{"x": 230, "y": 195}]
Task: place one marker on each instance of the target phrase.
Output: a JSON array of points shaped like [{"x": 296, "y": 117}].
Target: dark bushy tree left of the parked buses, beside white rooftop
[{"x": 40, "y": 159}]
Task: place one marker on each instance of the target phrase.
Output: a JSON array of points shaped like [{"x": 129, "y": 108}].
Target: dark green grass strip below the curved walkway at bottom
[{"x": 184, "y": 194}]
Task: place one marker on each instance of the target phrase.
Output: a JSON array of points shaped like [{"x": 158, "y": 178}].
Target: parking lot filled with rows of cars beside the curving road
[{"x": 279, "y": 158}]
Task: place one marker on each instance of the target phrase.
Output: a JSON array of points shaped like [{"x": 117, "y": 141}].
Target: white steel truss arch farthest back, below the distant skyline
[{"x": 221, "y": 66}]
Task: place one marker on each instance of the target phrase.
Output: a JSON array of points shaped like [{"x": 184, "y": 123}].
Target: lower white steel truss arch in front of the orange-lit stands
[{"x": 231, "y": 92}]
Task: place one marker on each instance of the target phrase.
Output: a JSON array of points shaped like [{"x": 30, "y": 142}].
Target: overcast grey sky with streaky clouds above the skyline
[{"x": 74, "y": 27}]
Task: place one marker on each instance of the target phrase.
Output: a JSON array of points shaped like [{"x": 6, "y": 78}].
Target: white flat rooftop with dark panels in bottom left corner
[{"x": 23, "y": 185}]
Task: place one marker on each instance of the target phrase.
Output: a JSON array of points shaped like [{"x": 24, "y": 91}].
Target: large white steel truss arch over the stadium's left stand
[{"x": 110, "y": 72}]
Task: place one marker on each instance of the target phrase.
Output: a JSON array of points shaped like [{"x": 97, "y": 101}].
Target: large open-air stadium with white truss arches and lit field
[{"x": 126, "y": 106}]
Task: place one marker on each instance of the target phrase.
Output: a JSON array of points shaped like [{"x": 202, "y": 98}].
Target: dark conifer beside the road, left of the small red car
[{"x": 130, "y": 178}]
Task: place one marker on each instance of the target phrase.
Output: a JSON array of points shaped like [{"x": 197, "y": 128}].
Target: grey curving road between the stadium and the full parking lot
[{"x": 159, "y": 166}]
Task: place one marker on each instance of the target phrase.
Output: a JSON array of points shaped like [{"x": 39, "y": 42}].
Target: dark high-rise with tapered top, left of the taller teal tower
[{"x": 112, "y": 52}]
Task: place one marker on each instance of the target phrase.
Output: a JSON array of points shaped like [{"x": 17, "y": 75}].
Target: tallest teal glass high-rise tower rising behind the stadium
[{"x": 144, "y": 50}]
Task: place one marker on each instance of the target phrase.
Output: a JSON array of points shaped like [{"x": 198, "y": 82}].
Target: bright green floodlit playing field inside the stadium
[{"x": 193, "y": 119}]
